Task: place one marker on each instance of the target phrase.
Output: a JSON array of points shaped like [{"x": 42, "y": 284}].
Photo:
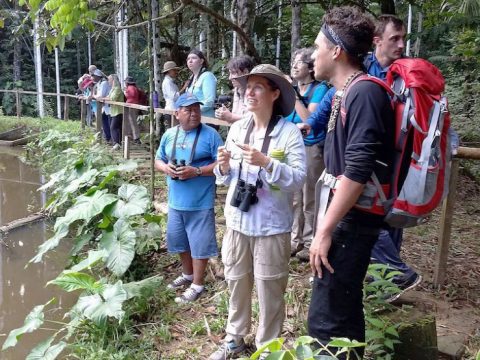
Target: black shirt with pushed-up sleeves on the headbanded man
[{"x": 365, "y": 144}]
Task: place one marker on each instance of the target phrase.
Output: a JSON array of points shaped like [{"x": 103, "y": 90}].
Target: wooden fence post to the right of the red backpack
[{"x": 445, "y": 229}]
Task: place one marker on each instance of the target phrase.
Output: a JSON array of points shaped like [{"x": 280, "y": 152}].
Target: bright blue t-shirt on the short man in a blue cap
[{"x": 197, "y": 193}]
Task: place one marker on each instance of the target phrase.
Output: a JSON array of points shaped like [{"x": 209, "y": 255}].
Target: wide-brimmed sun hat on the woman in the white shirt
[{"x": 271, "y": 72}]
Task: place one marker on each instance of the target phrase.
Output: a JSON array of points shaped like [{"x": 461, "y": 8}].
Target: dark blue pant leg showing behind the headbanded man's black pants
[{"x": 387, "y": 251}]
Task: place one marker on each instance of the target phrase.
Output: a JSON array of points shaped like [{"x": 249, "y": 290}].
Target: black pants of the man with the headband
[{"x": 336, "y": 308}]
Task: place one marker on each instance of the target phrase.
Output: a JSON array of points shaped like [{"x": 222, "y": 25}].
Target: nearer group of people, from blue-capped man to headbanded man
[{"x": 286, "y": 134}]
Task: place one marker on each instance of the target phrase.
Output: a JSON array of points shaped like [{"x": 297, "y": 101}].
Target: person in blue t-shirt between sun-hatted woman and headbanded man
[{"x": 309, "y": 94}]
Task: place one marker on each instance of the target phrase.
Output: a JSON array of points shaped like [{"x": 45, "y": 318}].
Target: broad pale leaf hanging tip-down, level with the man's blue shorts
[{"x": 120, "y": 245}]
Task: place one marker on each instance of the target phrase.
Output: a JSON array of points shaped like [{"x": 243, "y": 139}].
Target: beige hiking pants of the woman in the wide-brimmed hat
[{"x": 265, "y": 261}]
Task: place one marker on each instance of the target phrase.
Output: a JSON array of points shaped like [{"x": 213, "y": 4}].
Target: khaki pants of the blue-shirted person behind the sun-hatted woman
[{"x": 304, "y": 200}]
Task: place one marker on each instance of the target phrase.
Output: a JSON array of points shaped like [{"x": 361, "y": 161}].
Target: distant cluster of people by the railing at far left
[{"x": 96, "y": 86}]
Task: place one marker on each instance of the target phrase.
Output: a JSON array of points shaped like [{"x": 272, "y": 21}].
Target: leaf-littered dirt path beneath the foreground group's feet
[{"x": 198, "y": 329}]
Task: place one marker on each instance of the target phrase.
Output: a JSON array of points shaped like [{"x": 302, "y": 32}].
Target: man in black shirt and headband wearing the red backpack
[{"x": 360, "y": 137}]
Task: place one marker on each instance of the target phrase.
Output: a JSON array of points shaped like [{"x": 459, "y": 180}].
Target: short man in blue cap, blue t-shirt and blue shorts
[{"x": 187, "y": 155}]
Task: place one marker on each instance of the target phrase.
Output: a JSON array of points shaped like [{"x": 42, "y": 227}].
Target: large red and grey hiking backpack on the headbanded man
[{"x": 422, "y": 162}]
